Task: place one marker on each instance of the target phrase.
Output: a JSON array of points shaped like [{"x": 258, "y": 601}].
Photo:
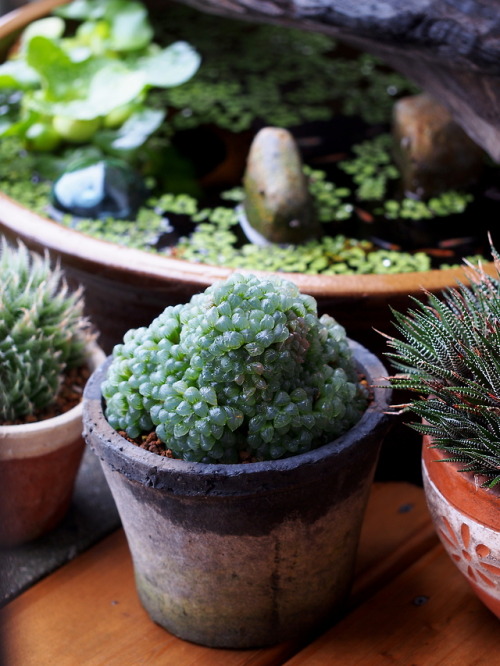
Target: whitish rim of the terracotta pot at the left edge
[{"x": 26, "y": 440}]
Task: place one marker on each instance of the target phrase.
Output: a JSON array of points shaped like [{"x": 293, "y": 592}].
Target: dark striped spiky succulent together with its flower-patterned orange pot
[{"x": 448, "y": 354}]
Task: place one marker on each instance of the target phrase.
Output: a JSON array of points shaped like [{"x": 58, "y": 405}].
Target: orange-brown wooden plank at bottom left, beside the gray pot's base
[{"x": 88, "y": 612}]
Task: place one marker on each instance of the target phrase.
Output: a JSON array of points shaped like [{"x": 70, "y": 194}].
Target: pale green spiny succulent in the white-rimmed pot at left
[{"x": 41, "y": 332}]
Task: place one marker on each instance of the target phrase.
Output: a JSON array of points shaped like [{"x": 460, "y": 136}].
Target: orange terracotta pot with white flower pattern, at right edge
[{"x": 467, "y": 520}]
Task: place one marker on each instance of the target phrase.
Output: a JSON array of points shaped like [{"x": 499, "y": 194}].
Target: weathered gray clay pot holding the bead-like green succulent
[{"x": 243, "y": 555}]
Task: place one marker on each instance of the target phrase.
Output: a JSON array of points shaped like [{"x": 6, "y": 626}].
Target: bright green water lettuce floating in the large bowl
[{"x": 92, "y": 84}]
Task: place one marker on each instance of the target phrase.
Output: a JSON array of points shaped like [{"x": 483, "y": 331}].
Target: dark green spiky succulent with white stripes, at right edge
[{"x": 450, "y": 356}]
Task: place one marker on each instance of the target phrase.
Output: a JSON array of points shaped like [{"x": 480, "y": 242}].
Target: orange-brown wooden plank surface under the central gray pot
[{"x": 409, "y": 606}]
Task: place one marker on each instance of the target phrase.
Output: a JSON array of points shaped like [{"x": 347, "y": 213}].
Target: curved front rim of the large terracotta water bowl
[{"x": 129, "y": 264}]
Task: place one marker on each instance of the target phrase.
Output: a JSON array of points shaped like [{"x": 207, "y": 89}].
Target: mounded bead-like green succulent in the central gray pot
[{"x": 246, "y": 369}]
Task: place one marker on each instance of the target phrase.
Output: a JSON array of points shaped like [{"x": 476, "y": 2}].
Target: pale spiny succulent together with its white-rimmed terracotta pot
[{"x": 44, "y": 337}]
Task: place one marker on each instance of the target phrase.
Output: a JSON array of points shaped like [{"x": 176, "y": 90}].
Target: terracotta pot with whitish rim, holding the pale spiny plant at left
[{"x": 38, "y": 466}]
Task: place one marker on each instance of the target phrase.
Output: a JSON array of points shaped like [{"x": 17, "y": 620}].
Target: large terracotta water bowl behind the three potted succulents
[{"x": 126, "y": 288}]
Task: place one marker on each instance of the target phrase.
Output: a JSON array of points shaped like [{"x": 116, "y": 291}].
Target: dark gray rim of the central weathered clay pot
[{"x": 138, "y": 463}]
